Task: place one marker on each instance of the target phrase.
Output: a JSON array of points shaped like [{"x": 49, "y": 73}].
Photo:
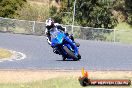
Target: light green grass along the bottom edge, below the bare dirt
[{"x": 67, "y": 82}]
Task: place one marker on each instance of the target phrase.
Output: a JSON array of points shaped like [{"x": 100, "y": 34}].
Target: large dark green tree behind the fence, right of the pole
[{"x": 94, "y": 13}]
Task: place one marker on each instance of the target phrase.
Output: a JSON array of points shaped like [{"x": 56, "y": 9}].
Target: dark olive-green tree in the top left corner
[{"x": 8, "y": 7}]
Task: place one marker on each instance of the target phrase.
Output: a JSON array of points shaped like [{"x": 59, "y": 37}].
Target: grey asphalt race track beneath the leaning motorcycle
[{"x": 95, "y": 55}]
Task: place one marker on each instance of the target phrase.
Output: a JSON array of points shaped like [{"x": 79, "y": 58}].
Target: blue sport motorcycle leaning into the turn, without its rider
[{"x": 64, "y": 45}]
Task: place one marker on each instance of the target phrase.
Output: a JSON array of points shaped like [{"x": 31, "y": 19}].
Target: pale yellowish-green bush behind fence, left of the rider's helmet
[{"x": 33, "y": 12}]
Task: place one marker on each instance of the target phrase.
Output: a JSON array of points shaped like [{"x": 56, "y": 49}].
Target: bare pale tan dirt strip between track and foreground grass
[{"x": 34, "y": 75}]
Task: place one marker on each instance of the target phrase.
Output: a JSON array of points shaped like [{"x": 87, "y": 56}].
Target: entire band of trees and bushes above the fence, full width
[{"x": 93, "y": 13}]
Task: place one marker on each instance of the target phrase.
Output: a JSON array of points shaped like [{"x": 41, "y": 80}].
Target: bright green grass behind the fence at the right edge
[{"x": 123, "y": 33}]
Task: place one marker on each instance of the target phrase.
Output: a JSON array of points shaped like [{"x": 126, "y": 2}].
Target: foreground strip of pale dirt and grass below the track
[{"x": 64, "y": 79}]
